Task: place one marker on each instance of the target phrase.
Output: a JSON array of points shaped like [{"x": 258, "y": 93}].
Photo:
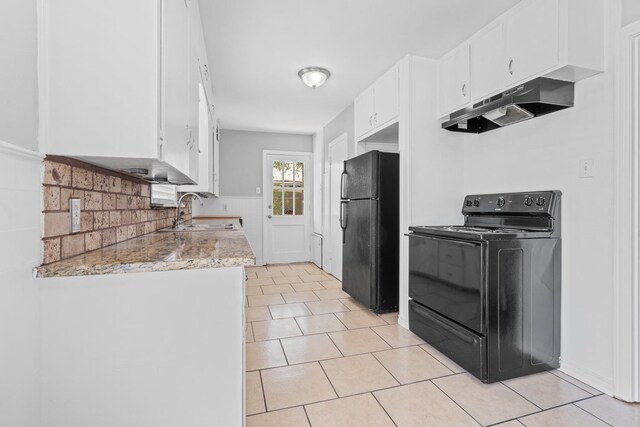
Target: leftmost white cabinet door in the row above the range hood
[{"x": 454, "y": 80}]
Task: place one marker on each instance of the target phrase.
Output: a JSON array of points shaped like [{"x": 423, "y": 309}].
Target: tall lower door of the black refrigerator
[{"x": 359, "y": 266}]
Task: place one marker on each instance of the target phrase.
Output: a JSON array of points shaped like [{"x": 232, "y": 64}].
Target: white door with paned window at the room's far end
[{"x": 287, "y": 216}]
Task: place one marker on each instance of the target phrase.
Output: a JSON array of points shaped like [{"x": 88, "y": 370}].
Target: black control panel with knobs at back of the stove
[{"x": 533, "y": 203}]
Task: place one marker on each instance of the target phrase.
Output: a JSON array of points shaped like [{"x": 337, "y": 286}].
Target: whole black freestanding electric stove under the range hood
[{"x": 487, "y": 293}]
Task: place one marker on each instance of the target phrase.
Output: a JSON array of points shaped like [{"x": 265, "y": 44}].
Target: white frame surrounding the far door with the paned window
[{"x": 308, "y": 178}]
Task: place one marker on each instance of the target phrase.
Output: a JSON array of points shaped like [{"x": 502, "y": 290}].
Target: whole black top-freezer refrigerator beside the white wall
[{"x": 369, "y": 218}]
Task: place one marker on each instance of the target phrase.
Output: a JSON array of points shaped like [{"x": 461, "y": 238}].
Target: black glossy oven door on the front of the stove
[{"x": 447, "y": 277}]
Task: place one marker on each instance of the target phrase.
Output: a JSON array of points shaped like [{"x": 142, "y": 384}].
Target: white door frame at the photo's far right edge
[{"x": 626, "y": 289}]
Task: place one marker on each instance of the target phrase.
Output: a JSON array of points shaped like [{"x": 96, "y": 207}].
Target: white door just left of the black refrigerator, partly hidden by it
[{"x": 337, "y": 156}]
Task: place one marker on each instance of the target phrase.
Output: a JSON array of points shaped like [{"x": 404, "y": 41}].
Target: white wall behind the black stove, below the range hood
[{"x": 543, "y": 154}]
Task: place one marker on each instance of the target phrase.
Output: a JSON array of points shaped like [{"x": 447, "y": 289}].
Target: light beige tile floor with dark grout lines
[{"x": 316, "y": 357}]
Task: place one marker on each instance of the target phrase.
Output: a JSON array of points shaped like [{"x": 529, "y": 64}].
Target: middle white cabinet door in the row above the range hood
[{"x": 488, "y": 73}]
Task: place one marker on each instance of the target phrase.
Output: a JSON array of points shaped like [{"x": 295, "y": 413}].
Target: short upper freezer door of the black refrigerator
[{"x": 360, "y": 177}]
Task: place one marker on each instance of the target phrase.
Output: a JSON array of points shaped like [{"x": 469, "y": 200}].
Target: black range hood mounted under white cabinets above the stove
[{"x": 528, "y": 100}]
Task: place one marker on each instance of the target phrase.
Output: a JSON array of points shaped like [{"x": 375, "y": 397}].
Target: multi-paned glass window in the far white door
[{"x": 288, "y": 188}]
